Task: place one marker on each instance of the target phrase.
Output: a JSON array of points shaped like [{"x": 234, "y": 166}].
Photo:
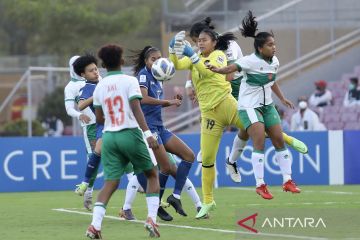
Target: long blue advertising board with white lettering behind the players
[{"x": 45, "y": 164}]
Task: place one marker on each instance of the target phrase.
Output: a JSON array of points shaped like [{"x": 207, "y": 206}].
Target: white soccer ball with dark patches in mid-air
[{"x": 163, "y": 69}]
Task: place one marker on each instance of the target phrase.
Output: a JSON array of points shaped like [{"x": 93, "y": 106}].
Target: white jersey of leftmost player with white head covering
[{"x": 71, "y": 94}]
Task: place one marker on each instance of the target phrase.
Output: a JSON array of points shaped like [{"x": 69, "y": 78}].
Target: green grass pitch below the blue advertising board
[{"x": 31, "y": 215}]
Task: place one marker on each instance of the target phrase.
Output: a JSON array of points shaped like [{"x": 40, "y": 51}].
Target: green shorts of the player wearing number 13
[{"x": 124, "y": 147}]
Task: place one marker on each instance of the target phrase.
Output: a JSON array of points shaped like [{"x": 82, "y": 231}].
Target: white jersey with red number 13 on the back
[{"x": 113, "y": 94}]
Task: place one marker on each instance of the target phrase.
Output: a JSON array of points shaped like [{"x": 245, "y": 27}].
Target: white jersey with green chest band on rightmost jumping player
[{"x": 259, "y": 76}]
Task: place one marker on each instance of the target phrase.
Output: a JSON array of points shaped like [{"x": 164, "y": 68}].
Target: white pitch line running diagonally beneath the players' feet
[{"x": 197, "y": 228}]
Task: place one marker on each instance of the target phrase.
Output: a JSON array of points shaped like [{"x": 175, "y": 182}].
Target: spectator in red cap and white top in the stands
[{"x": 322, "y": 96}]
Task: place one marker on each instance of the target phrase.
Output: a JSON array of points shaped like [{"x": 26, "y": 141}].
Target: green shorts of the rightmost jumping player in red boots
[{"x": 266, "y": 114}]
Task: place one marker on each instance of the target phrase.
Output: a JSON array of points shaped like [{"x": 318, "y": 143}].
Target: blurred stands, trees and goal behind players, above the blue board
[{"x": 318, "y": 45}]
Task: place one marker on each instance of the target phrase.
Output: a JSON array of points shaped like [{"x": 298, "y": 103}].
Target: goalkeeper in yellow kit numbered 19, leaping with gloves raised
[{"x": 218, "y": 107}]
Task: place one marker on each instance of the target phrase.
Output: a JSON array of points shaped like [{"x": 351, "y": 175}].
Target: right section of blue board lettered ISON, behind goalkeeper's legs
[{"x": 312, "y": 168}]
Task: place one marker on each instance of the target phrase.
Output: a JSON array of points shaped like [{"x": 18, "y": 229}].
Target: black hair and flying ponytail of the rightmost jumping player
[{"x": 249, "y": 28}]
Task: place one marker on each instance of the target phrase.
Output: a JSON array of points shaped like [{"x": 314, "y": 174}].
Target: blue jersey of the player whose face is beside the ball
[{"x": 152, "y": 112}]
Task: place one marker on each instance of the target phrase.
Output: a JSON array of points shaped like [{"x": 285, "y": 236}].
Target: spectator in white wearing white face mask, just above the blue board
[{"x": 305, "y": 119}]
